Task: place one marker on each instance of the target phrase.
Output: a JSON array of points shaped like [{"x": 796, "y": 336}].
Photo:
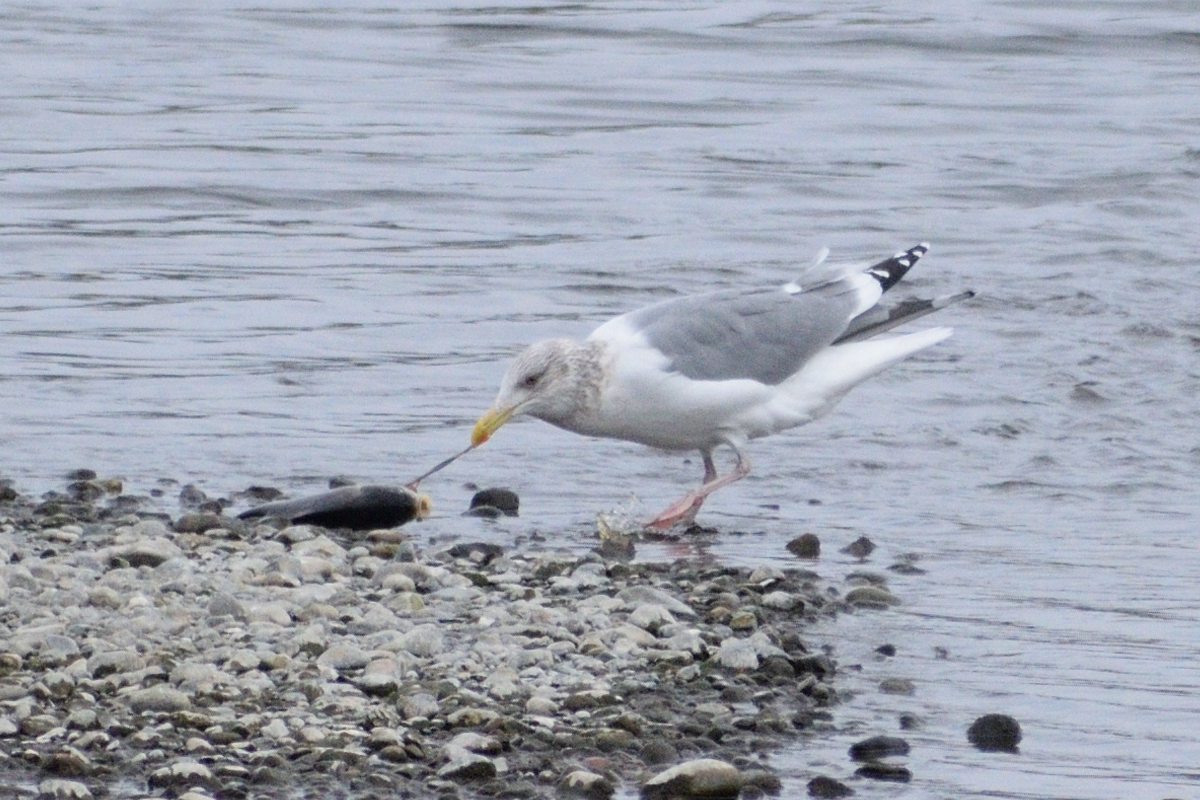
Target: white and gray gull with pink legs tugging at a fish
[{"x": 721, "y": 369}]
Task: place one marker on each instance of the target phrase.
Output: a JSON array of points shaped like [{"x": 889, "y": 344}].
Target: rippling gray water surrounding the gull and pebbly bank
[{"x": 273, "y": 245}]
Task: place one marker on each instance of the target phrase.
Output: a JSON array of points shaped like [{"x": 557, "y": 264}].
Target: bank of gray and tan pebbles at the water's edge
[{"x": 206, "y": 657}]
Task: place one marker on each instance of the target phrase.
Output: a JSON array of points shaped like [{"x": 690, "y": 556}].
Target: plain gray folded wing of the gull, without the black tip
[{"x": 765, "y": 335}]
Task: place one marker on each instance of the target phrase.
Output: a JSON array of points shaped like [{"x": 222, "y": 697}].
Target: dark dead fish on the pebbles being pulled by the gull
[{"x": 357, "y": 508}]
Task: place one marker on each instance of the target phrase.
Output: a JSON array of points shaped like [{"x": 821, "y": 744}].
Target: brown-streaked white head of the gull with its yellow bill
[{"x": 544, "y": 382}]
